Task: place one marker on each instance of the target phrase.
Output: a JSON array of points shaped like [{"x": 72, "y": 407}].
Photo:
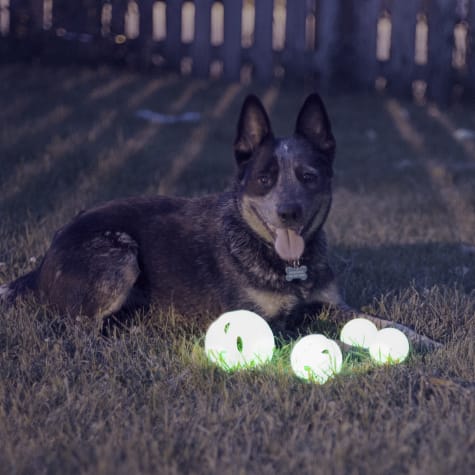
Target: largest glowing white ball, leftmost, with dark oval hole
[{"x": 239, "y": 339}]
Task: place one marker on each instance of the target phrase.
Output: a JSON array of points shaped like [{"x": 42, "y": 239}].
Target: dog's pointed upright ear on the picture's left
[{"x": 253, "y": 127}]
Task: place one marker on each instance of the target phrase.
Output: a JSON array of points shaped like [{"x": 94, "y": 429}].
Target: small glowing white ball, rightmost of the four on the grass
[{"x": 389, "y": 346}]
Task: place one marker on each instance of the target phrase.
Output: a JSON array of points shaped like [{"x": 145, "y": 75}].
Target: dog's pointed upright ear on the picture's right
[{"x": 314, "y": 125}]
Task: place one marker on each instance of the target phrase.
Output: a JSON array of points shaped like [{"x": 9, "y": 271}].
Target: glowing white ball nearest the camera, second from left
[{"x": 316, "y": 358}]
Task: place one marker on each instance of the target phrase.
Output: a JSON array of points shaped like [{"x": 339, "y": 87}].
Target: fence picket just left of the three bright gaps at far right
[{"x": 364, "y": 65}]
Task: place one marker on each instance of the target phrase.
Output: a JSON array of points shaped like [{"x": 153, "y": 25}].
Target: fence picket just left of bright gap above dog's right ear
[{"x": 295, "y": 37}]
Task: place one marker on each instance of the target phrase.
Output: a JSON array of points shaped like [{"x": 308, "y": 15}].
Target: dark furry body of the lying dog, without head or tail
[{"x": 196, "y": 255}]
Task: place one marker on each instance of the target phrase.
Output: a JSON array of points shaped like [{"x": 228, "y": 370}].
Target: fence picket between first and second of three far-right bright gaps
[{"x": 400, "y": 68}]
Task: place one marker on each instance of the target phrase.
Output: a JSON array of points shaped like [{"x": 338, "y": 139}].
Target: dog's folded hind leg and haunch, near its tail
[{"x": 93, "y": 277}]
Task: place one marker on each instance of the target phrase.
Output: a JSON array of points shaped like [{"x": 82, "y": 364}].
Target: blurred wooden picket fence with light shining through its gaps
[{"x": 424, "y": 48}]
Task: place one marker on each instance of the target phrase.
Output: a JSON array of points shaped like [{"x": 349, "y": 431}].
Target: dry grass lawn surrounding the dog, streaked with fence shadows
[{"x": 401, "y": 232}]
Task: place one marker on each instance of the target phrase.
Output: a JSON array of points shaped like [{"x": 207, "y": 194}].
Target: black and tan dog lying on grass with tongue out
[{"x": 259, "y": 246}]
